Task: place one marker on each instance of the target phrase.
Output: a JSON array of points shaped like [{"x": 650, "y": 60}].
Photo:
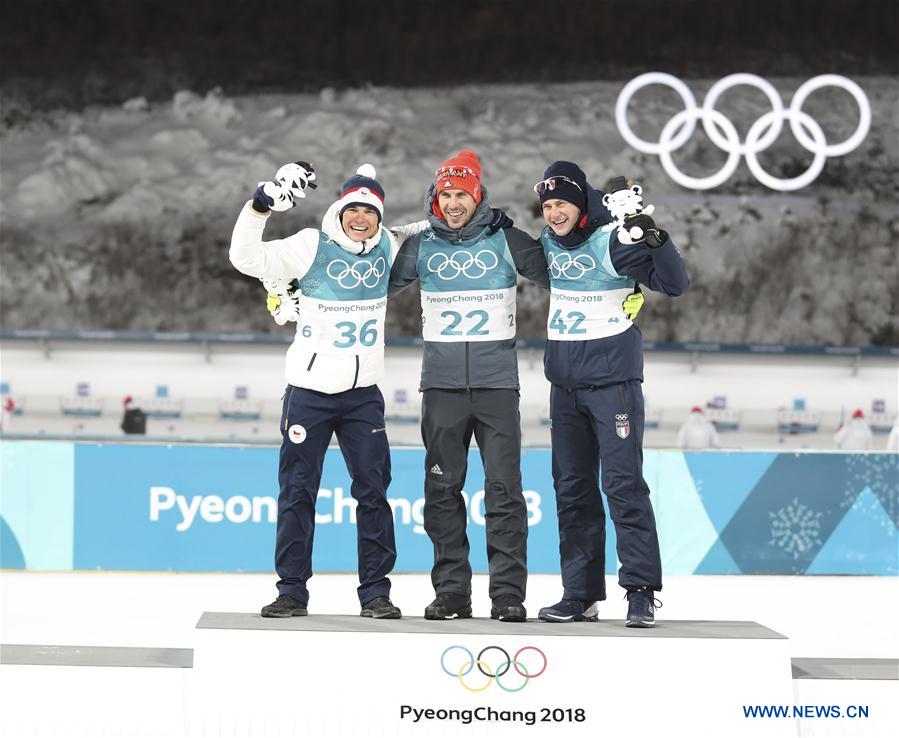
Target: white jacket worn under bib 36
[{"x": 311, "y": 367}]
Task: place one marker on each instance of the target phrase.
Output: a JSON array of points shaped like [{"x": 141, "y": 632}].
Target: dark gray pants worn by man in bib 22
[{"x": 449, "y": 418}]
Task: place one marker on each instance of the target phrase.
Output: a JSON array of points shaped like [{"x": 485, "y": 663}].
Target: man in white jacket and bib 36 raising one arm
[{"x": 332, "y": 368}]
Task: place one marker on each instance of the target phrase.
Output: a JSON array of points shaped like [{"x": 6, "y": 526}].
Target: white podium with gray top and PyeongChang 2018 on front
[{"x": 338, "y": 675}]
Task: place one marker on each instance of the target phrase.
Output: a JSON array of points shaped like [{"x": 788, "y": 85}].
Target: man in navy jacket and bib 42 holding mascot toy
[{"x": 594, "y": 360}]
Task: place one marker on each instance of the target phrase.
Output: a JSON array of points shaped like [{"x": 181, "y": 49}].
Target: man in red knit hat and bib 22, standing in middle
[{"x": 467, "y": 272}]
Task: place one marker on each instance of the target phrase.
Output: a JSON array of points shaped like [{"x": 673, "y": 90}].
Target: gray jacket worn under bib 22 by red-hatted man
[{"x": 470, "y": 364}]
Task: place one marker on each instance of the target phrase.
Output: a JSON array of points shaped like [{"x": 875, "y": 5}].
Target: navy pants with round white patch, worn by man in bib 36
[{"x": 308, "y": 421}]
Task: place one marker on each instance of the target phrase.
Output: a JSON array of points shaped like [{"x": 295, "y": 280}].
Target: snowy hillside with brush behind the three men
[{"x": 120, "y": 218}]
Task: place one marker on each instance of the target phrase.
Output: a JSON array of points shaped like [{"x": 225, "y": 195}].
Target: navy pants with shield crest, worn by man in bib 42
[{"x": 593, "y": 427}]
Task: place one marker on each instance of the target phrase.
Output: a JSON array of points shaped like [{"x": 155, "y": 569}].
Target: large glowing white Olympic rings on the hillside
[{"x": 761, "y": 135}]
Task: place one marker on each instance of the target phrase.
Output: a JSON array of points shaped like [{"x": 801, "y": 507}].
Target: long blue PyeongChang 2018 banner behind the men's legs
[{"x": 213, "y": 508}]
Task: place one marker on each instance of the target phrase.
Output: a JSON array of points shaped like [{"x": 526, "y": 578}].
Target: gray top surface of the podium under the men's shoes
[{"x": 483, "y": 626}]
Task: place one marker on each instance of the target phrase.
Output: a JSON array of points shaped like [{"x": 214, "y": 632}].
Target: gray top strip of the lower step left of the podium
[{"x": 40, "y": 655}]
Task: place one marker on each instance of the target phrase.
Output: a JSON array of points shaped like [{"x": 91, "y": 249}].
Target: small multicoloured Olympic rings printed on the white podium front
[{"x": 495, "y": 668}]
